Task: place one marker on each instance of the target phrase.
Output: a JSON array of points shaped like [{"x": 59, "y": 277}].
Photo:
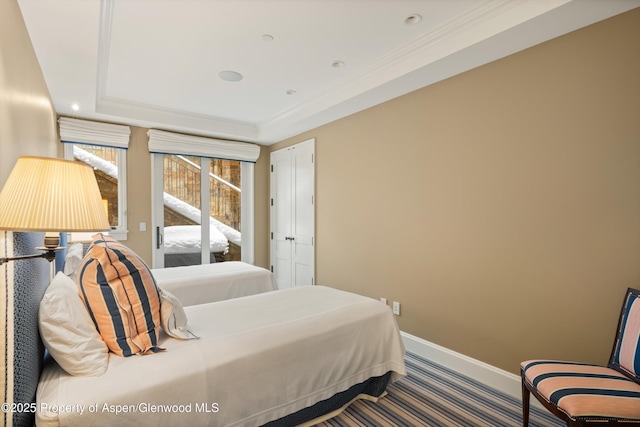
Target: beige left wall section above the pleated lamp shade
[{"x": 27, "y": 117}]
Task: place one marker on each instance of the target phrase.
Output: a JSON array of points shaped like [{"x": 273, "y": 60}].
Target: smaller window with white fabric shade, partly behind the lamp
[{"x": 102, "y": 146}]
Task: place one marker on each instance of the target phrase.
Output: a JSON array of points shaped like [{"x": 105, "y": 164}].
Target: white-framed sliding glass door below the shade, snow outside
[{"x": 198, "y": 214}]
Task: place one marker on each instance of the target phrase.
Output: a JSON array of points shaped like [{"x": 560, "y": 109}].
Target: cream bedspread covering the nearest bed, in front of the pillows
[{"x": 258, "y": 359}]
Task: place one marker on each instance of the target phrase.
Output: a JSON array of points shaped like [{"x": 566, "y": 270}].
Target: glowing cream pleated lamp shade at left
[{"x": 46, "y": 194}]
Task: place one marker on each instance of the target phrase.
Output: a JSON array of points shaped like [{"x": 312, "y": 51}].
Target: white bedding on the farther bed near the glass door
[{"x": 199, "y": 284}]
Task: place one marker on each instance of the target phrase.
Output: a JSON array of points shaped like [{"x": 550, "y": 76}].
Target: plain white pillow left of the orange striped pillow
[{"x": 68, "y": 332}]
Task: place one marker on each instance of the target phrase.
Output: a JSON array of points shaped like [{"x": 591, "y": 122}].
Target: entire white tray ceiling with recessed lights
[{"x": 155, "y": 63}]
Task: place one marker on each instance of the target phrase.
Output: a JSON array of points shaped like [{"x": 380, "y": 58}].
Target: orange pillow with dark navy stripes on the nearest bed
[{"x": 121, "y": 296}]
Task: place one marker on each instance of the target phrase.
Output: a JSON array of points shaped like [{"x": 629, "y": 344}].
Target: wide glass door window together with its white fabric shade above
[{"x": 202, "y": 194}]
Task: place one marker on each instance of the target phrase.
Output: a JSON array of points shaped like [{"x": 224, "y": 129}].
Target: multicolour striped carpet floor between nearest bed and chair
[{"x": 432, "y": 395}]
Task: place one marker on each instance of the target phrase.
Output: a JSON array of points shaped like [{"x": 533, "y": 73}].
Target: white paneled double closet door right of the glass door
[{"x": 293, "y": 215}]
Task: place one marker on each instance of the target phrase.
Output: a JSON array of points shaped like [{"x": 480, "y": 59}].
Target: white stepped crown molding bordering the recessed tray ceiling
[{"x": 492, "y": 30}]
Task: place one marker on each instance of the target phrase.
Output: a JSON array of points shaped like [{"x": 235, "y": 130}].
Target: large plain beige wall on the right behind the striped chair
[{"x": 501, "y": 207}]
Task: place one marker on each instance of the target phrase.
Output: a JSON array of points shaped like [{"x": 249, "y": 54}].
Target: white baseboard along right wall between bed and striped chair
[{"x": 497, "y": 378}]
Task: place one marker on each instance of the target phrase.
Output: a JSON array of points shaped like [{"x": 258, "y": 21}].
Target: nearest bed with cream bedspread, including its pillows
[{"x": 279, "y": 358}]
